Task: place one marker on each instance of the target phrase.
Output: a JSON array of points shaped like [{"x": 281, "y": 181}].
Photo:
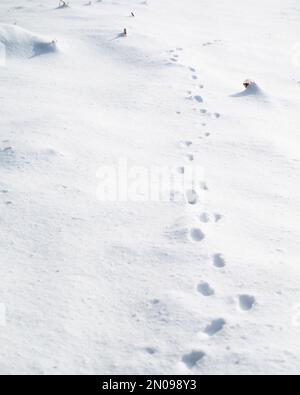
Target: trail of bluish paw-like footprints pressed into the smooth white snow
[{"x": 245, "y": 303}]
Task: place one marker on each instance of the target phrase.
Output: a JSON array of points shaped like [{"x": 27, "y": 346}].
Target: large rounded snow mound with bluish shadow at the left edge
[{"x": 19, "y": 42}]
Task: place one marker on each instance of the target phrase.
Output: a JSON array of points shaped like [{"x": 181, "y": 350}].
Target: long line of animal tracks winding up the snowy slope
[{"x": 195, "y": 199}]
